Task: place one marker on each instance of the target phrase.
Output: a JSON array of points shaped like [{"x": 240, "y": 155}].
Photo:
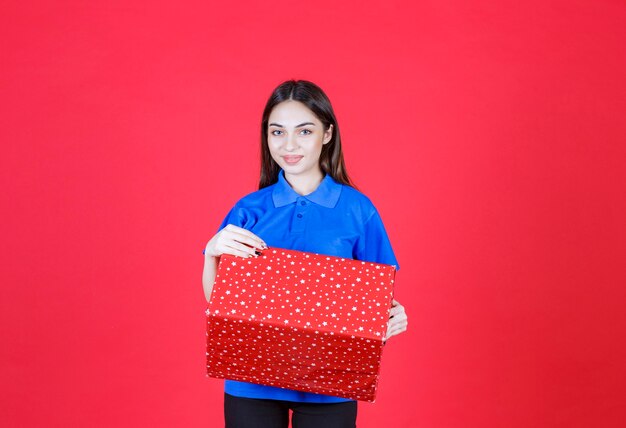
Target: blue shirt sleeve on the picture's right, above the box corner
[{"x": 374, "y": 245}]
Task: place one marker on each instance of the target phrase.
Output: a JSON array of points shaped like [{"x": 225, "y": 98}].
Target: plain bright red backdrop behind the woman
[{"x": 490, "y": 135}]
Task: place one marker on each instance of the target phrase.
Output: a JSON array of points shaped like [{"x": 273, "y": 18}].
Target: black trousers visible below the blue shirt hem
[{"x": 241, "y": 412}]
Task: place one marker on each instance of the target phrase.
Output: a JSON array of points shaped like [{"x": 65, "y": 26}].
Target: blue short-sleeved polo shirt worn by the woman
[{"x": 335, "y": 220}]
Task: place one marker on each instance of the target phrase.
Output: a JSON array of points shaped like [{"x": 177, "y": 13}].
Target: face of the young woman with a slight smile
[{"x": 295, "y": 138}]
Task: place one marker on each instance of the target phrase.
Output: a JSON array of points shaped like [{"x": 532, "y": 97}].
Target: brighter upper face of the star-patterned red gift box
[{"x": 307, "y": 291}]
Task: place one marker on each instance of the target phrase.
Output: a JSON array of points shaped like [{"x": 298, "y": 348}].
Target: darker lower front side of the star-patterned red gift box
[{"x": 314, "y": 361}]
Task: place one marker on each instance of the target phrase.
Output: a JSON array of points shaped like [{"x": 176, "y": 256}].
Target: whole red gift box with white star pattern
[{"x": 298, "y": 320}]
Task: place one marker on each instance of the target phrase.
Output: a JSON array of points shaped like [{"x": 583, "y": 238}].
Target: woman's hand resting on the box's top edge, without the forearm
[{"x": 234, "y": 240}]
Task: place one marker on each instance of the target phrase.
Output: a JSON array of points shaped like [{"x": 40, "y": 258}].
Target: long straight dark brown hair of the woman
[{"x": 312, "y": 96}]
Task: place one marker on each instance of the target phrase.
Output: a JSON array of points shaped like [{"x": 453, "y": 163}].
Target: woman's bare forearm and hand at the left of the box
[{"x": 230, "y": 240}]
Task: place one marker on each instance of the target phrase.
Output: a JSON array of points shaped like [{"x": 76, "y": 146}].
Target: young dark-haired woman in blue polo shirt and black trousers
[{"x": 305, "y": 202}]
